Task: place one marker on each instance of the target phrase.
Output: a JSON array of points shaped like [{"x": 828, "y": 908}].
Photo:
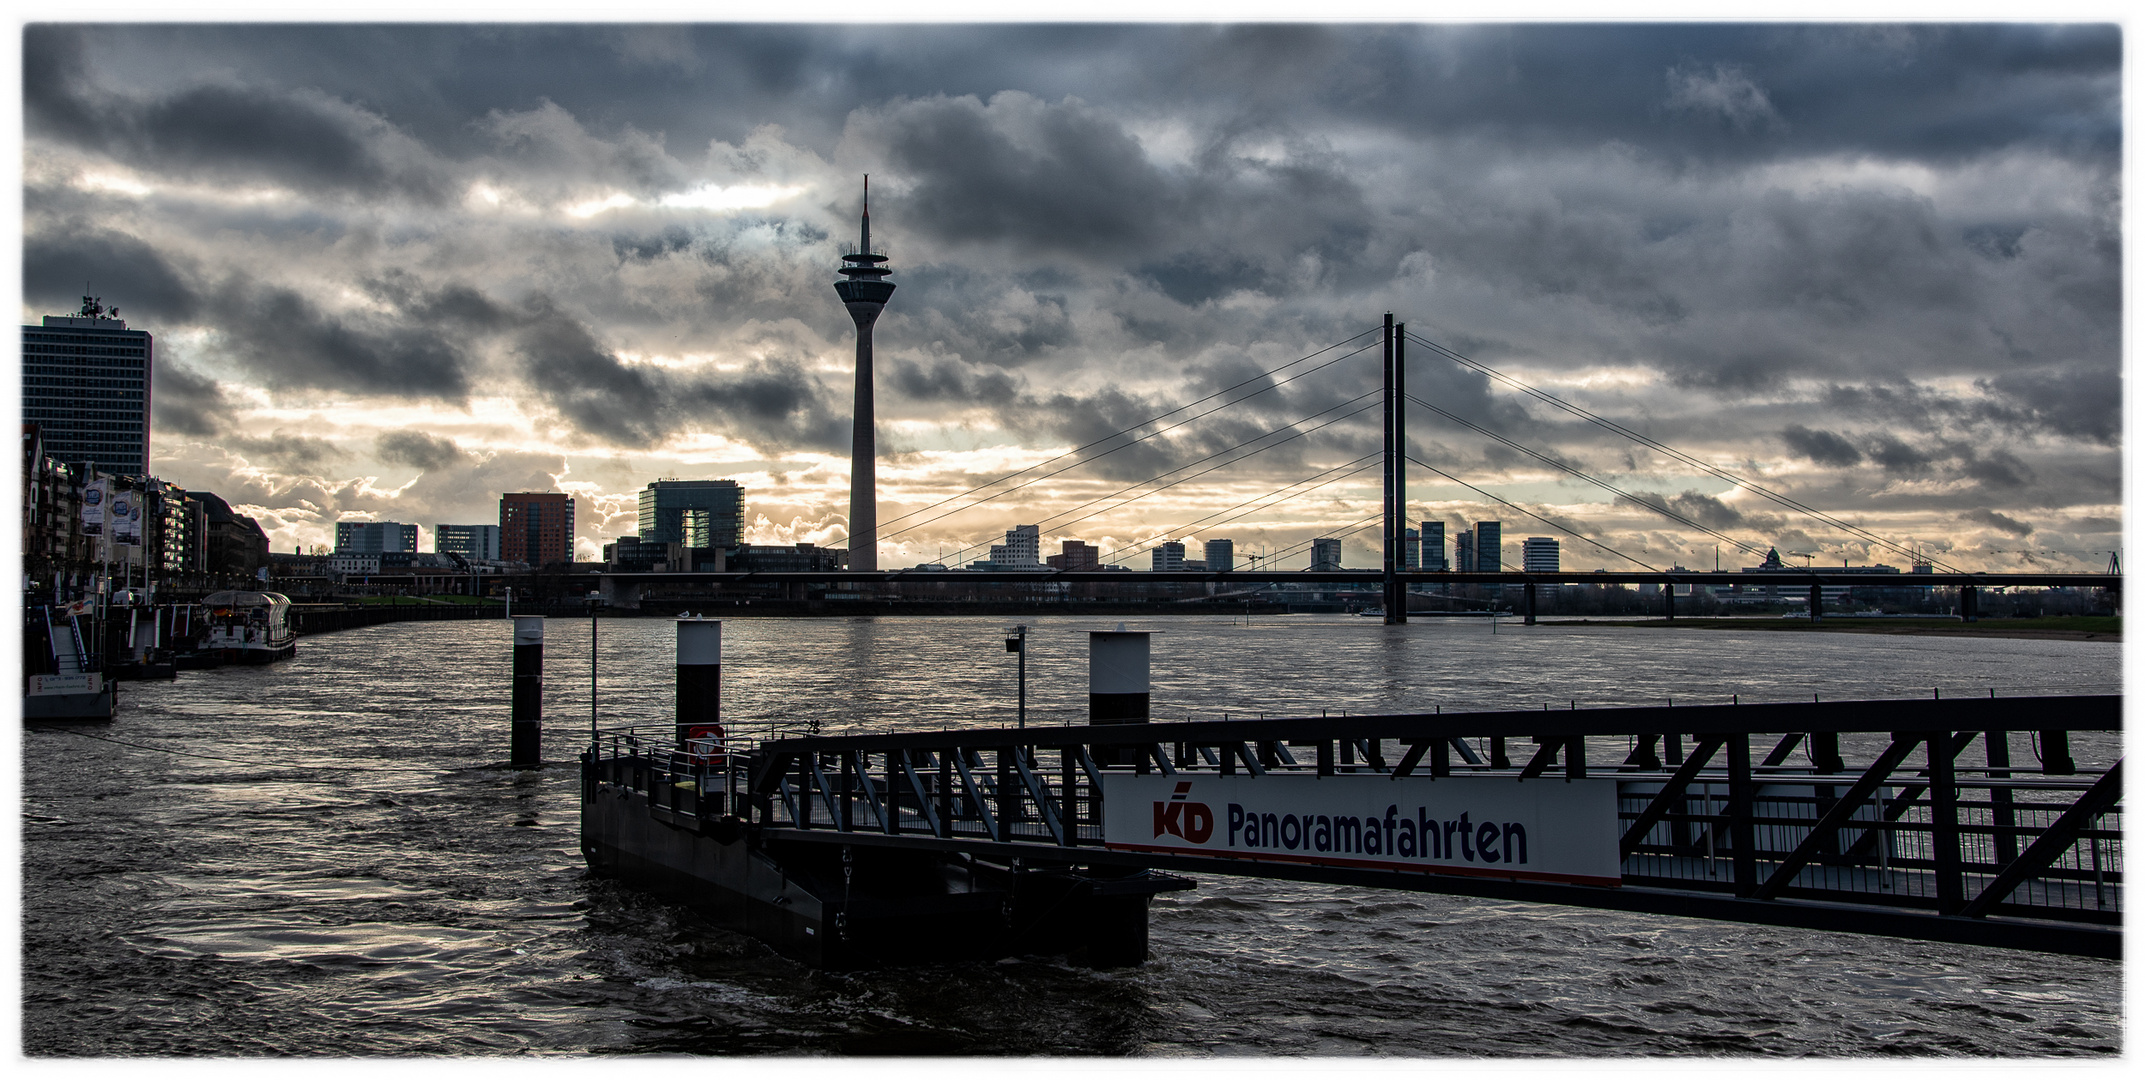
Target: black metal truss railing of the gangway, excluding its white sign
[{"x": 1962, "y": 811}]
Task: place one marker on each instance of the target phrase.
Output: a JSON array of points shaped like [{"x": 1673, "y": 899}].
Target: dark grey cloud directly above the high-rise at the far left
[{"x": 65, "y": 261}]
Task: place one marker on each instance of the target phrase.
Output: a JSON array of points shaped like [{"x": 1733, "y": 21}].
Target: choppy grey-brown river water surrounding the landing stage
[{"x": 321, "y": 860}]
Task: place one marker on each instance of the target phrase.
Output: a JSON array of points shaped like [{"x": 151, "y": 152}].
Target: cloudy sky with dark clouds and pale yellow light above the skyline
[{"x": 400, "y": 269}]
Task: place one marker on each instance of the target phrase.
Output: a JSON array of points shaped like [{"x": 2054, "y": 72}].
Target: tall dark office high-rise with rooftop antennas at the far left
[{"x": 87, "y": 385}]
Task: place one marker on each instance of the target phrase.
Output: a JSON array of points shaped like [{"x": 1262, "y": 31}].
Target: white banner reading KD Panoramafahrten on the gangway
[{"x": 1494, "y": 828}]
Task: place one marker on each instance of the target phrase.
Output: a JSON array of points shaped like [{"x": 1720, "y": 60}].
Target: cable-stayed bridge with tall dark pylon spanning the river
[{"x": 1391, "y": 461}]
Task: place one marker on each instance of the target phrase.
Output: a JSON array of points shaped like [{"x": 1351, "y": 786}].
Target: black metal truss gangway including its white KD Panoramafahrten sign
[{"x": 1959, "y": 821}]
